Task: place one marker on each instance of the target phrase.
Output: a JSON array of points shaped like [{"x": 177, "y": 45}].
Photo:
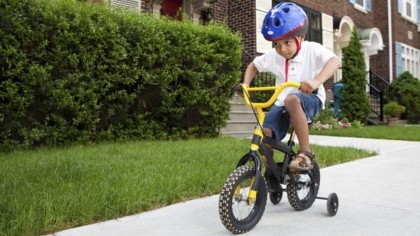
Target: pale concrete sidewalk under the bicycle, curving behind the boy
[{"x": 379, "y": 195}]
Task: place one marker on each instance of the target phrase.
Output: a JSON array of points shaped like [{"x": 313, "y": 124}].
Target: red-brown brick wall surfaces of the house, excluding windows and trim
[{"x": 240, "y": 16}]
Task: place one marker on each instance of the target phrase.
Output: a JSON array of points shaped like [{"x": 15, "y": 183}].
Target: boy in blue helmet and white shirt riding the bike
[{"x": 293, "y": 59}]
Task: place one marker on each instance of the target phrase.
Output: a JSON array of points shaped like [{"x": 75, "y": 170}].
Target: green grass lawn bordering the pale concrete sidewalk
[{"x": 47, "y": 190}]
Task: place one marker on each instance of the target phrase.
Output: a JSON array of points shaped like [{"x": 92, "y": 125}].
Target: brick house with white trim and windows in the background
[{"x": 387, "y": 39}]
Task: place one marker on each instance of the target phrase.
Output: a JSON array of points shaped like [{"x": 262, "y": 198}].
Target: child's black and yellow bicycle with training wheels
[{"x": 243, "y": 197}]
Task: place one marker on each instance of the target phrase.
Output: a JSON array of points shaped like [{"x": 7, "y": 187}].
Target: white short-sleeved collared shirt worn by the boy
[{"x": 305, "y": 66}]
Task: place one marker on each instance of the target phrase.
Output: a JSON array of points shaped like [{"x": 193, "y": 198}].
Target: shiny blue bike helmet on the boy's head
[{"x": 284, "y": 20}]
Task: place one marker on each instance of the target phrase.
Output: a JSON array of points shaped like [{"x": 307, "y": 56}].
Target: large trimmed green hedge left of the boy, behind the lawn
[{"x": 73, "y": 73}]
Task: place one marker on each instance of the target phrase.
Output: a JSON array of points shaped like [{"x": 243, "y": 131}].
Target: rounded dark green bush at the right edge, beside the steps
[{"x": 405, "y": 90}]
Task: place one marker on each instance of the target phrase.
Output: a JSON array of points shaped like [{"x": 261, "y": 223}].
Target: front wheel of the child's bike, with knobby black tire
[{"x": 238, "y": 213}]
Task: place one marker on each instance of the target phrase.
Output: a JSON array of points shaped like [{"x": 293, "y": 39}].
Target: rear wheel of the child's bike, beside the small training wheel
[{"x": 303, "y": 188}]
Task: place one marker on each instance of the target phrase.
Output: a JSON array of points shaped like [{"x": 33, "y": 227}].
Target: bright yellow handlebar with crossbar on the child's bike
[{"x": 277, "y": 90}]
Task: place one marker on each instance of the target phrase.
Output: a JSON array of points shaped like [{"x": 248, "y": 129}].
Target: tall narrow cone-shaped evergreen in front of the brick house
[{"x": 355, "y": 103}]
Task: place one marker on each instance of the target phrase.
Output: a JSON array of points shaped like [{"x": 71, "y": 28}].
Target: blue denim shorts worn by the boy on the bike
[{"x": 278, "y": 120}]
